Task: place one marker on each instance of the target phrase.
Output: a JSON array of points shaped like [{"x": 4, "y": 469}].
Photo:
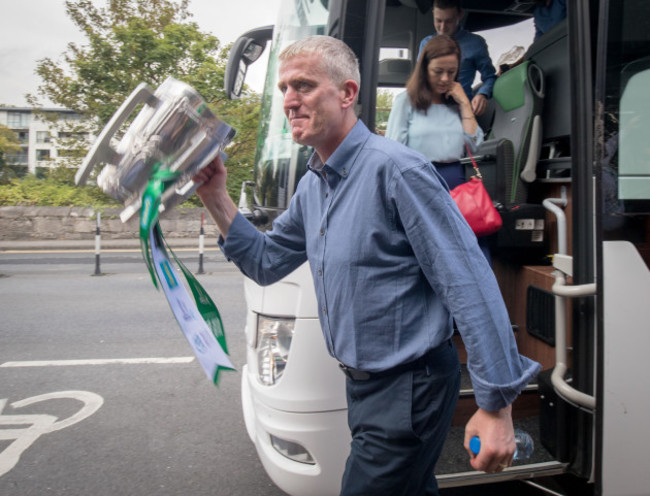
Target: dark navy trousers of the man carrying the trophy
[{"x": 399, "y": 423}]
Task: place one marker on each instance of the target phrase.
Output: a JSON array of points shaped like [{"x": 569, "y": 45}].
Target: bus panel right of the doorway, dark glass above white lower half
[{"x": 623, "y": 240}]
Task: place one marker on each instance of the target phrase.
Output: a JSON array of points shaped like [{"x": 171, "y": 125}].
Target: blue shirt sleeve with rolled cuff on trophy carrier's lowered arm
[{"x": 456, "y": 269}]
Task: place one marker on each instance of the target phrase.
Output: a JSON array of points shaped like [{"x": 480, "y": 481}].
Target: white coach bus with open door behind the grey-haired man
[{"x": 568, "y": 161}]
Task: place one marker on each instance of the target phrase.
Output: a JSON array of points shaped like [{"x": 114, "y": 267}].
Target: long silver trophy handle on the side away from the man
[{"x": 101, "y": 150}]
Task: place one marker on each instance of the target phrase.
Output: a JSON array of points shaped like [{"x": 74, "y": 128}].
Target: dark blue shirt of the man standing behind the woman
[{"x": 474, "y": 57}]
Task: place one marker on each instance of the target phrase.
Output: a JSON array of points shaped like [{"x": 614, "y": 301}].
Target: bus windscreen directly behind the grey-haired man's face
[{"x": 280, "y": 162}]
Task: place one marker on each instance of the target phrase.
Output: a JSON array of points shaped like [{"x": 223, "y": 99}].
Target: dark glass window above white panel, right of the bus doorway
[{"x": 625, "y": 155}]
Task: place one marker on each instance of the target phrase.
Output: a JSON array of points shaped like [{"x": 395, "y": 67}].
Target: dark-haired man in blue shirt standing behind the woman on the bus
[{"x": 447, "y": 15}]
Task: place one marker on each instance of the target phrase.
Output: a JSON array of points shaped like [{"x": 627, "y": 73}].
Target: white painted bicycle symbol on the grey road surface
[{"x": 37, "y": 425}]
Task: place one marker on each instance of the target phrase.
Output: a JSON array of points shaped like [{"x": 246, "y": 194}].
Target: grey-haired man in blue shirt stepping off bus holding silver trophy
[{"x": 392, "y": 260}]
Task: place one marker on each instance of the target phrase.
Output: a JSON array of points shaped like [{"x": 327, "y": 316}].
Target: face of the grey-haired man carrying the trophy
[{"x": 312, "y": 103}]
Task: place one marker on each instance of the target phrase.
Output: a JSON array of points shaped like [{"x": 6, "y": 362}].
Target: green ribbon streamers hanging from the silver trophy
[{"x": 161, "y": 180}]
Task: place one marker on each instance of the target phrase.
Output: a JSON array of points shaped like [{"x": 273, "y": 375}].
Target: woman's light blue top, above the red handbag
[{"x": 438, "y": 134}]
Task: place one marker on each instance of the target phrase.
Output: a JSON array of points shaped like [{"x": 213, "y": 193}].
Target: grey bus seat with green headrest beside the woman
[{"x": 518, "y": 97}]
